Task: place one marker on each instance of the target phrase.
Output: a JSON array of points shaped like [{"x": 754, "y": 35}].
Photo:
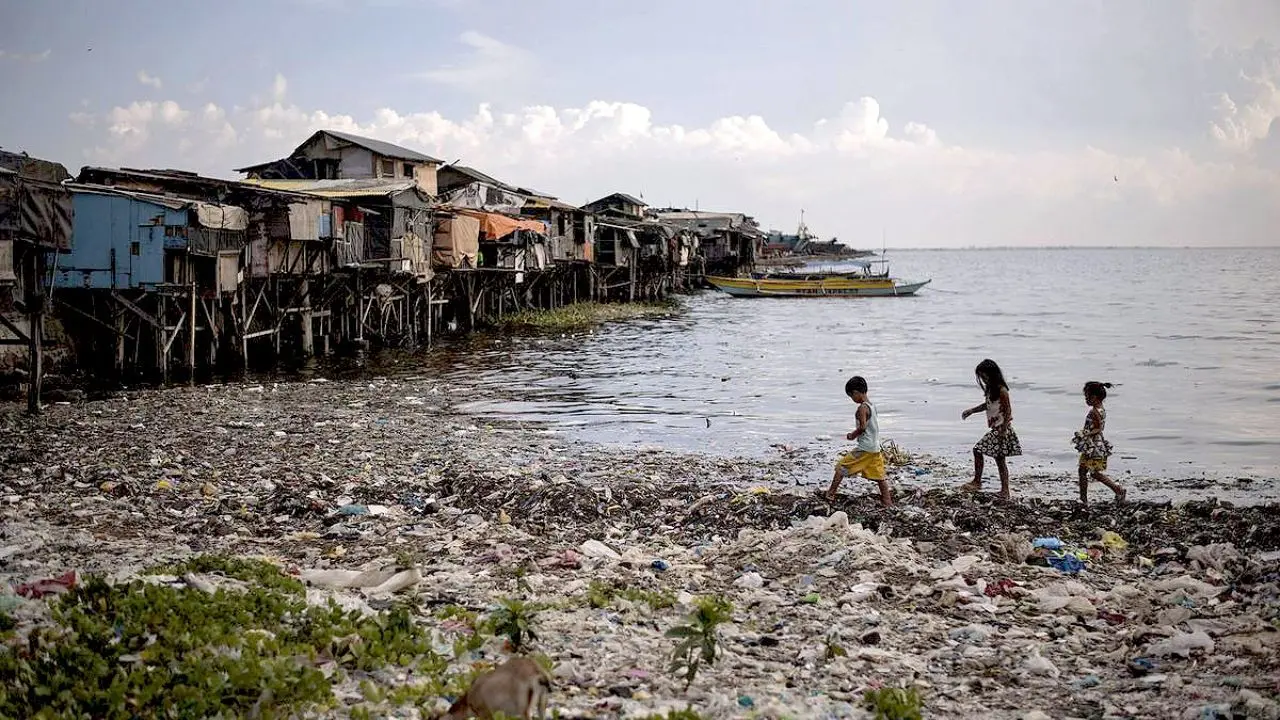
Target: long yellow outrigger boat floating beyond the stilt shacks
[{"x": 857, "y": 284}]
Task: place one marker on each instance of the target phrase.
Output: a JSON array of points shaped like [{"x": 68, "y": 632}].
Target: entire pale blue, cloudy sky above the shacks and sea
[{"x": 932, "y": 124}]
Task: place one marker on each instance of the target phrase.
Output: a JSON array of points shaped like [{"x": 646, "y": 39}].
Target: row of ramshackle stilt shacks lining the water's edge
[{"x": 348, "y": 240}]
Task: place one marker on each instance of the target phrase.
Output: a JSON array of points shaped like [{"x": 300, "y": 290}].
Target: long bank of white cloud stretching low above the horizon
[{"x": 852, "y": 172}]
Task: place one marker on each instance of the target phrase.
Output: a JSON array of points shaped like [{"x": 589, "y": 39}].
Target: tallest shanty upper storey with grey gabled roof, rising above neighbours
[{"x": 333, "y": 156}]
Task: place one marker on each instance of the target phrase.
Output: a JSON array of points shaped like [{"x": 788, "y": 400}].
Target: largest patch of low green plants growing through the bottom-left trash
[{"x": 148, "y": 650}]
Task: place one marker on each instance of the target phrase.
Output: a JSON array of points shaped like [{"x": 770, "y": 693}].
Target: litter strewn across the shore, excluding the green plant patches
[{"x": 482, "y": 511}]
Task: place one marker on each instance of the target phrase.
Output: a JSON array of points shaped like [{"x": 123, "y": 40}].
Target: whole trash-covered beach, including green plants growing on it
[{"x": 447, "y": 539}]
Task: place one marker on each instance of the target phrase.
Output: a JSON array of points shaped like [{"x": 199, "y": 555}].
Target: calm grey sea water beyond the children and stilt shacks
[{"x": 1190, "y": 338}]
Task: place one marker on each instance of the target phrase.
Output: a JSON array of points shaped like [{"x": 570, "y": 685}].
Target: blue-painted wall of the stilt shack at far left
[{"x": 134, "y": 229}]
